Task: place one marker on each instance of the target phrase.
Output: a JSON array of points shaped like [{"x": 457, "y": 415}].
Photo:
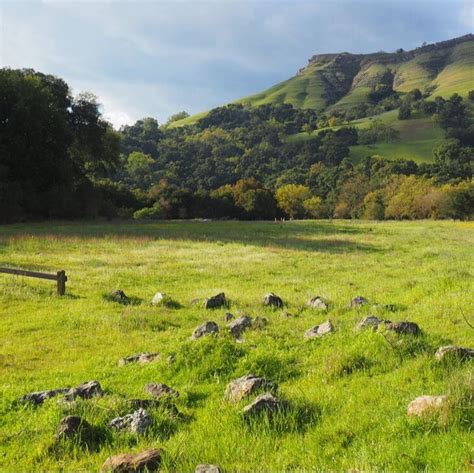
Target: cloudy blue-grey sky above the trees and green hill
[{"x": 155, "y": 58}]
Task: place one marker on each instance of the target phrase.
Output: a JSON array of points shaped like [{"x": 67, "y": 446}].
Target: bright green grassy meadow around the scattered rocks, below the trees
[{"x": 348, "y": 390}]
